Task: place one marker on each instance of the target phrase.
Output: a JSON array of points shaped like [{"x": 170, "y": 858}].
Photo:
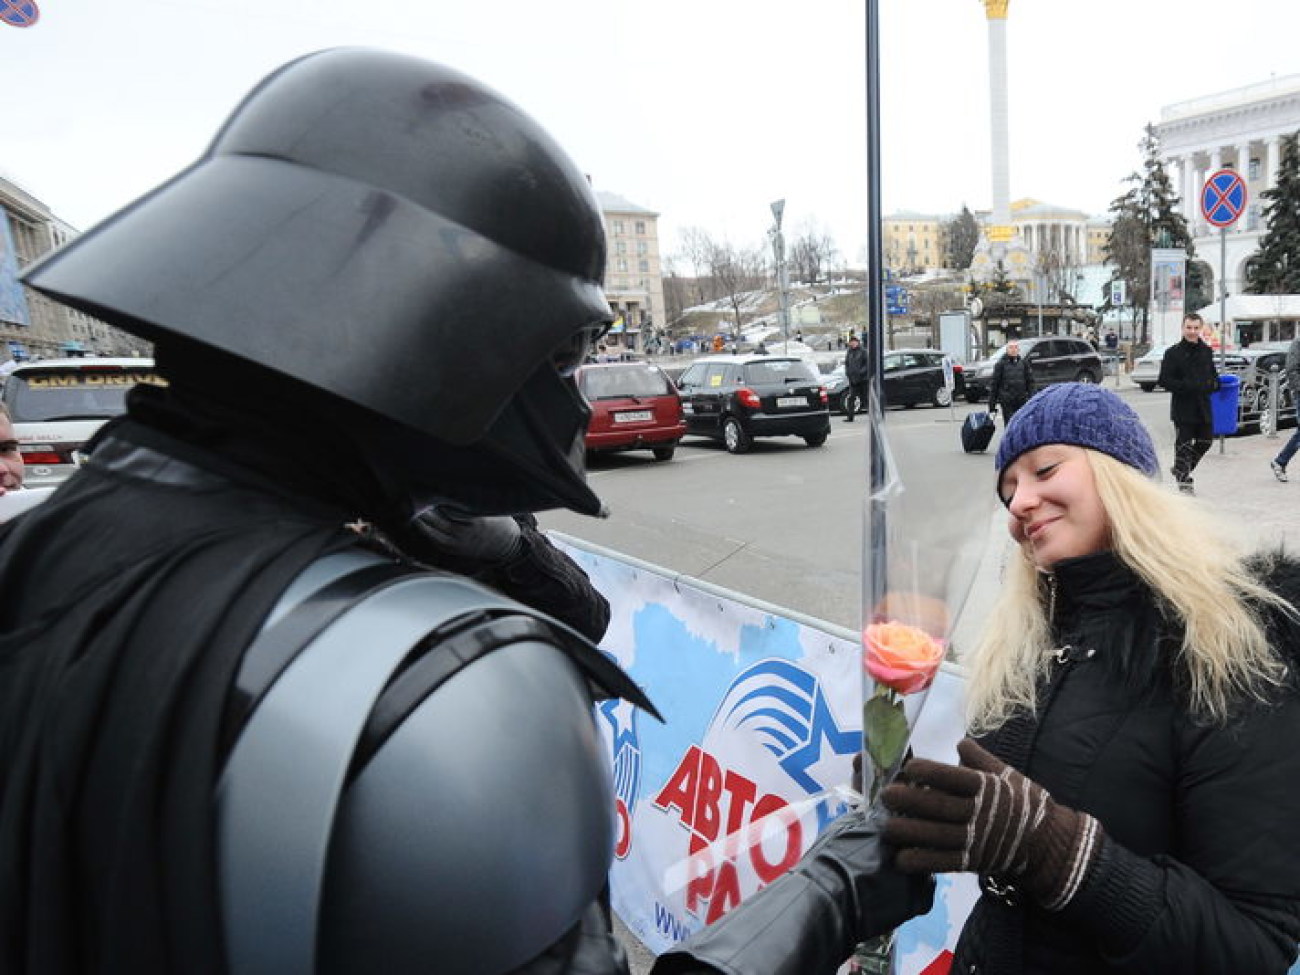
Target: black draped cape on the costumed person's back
[{"x": 127, "y": 606}]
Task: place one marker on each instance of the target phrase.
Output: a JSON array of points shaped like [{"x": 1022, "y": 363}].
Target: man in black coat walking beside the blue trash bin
[{"x": 1188, "y": 371}]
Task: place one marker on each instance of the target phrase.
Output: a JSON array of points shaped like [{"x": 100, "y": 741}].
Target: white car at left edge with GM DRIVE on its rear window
[{"x": 58, "y": 405}]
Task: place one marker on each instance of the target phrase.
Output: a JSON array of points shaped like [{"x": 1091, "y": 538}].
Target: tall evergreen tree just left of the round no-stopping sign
[{"x": 1147, "y": 216}]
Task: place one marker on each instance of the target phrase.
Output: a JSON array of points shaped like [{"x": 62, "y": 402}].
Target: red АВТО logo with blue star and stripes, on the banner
[{"x": 748, "y": 826}]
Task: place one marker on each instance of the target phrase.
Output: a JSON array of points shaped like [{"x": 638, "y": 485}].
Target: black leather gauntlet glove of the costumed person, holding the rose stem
[{"x": 808, "y": 922}]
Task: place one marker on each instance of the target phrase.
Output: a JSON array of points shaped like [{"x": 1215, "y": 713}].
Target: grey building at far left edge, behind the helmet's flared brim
[{"x": 31, "y": 324}]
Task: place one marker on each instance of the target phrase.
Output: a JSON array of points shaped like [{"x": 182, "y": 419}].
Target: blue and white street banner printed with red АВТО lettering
[{"x": 762, "y": 721}]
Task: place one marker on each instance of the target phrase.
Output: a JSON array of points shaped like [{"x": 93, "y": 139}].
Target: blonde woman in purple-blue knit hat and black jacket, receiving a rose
[{"x": 1132, "y": 795}]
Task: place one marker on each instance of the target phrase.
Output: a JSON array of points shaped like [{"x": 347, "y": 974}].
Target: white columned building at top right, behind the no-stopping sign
[{"x": 1241, "y": 129}]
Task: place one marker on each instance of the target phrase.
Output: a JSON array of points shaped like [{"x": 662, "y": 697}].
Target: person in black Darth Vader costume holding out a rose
[{"x": 255, "y": 714}]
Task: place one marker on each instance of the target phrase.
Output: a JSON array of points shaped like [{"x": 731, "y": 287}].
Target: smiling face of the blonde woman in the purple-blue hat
[{"x": 1056, "y": 512}]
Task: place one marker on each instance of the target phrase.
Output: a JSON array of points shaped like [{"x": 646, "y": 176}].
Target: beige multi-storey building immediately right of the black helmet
[{"x": 634, "y": 275}]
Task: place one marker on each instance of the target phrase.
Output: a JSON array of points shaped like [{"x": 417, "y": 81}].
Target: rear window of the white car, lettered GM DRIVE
[{"x": 72, "y": 395}]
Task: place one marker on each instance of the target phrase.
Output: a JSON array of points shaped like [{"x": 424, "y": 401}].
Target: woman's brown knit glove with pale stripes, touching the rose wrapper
[{"x": 985, "y": 817}]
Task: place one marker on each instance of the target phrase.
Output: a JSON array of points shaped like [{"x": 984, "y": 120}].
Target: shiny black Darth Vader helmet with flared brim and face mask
[{"x": 395, "y": 235}]
